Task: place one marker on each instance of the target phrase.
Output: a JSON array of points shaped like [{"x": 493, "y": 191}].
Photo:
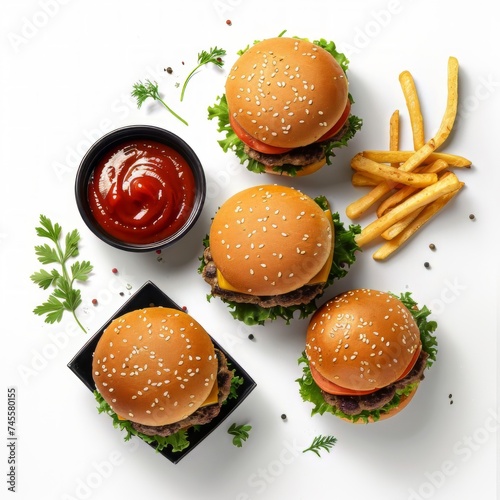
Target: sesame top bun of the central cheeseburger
[{"x": 270, "y": 240}]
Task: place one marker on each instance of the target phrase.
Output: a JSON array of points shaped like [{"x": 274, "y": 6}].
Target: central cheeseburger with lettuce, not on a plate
[{"x": 272, "y": 250}]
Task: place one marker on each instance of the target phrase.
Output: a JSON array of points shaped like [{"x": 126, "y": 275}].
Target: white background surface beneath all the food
[{"x": 67, "y": 72}]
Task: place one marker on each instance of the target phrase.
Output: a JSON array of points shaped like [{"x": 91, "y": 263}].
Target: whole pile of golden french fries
[{"x": 407, "y": 187}]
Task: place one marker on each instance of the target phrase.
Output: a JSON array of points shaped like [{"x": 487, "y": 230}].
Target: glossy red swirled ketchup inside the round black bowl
[{"x": 142, "y": 191}]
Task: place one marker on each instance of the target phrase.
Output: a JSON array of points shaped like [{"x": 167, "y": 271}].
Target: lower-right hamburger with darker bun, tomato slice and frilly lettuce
[{"x": 365, "y": 355}]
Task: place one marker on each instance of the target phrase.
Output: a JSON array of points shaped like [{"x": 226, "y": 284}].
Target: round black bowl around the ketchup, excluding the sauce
[{"x": 112, "y": 140}]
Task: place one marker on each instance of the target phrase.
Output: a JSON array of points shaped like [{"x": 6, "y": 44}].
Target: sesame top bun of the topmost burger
[{"x": 286, "y": 92}]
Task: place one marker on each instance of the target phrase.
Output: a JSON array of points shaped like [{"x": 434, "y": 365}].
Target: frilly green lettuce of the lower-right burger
[{"x": 310, "y": 392}]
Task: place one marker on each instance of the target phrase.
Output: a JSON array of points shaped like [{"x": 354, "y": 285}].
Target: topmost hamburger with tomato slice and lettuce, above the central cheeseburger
[{"x": 286, "y": 106}]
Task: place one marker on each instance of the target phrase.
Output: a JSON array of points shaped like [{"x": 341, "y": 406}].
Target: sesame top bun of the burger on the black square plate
[{"x": 154, "y": 366}]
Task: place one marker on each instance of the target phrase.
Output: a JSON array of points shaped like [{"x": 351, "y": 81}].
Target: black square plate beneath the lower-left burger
[{"x": 150, "y": 295}]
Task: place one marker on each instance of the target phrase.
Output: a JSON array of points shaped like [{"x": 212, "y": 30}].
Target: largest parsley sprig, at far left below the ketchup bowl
[{"x": 64, "y": 297}]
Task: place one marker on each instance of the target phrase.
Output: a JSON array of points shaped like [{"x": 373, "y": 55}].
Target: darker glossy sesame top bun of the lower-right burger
[{"x": 362, "y": 339}]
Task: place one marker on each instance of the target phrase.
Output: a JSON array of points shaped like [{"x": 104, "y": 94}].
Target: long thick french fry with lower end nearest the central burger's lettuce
[{"x": 421, "y": 198}]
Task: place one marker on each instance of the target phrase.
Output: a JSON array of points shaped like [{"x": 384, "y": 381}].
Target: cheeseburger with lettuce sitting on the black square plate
[{"x": 157, "y": 374}]
